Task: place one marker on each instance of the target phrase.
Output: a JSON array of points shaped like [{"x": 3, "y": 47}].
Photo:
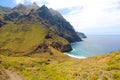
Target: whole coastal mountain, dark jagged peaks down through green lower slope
[{"x": 33, "y": 29}]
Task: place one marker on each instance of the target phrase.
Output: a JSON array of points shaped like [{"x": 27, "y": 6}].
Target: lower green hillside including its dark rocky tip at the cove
[{"x": 25, "y": 39}]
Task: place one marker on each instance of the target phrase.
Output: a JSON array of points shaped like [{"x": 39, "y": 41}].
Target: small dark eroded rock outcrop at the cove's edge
[{"x": 59, "y": 46}]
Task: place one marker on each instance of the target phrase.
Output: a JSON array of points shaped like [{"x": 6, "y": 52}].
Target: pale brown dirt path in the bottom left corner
[{"x": 13, "y": 76}]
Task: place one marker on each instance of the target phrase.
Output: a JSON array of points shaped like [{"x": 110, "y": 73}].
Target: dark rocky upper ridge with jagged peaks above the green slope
[{"x": 48, "y": 17}]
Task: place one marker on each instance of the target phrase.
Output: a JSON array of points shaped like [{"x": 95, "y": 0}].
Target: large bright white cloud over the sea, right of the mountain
[{"x": 97, "y": 15}]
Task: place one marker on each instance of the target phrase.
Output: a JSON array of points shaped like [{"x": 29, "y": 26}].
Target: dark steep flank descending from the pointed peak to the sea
[{"x": 59, "y": 25}]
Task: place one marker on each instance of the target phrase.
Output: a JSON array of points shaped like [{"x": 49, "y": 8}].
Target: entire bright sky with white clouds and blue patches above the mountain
[{"x": 87, "y": 16}]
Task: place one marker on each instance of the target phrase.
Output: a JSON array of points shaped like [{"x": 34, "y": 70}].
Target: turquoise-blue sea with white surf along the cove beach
[{"x": 95, "y": 45}]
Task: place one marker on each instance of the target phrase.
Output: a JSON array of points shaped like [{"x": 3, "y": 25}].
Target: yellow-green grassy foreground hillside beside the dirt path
[{"x": 60, "y": 67}]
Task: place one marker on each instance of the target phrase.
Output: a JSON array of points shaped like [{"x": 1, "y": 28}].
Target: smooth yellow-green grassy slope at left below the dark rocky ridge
[{"x": 19, "y": 38}]
